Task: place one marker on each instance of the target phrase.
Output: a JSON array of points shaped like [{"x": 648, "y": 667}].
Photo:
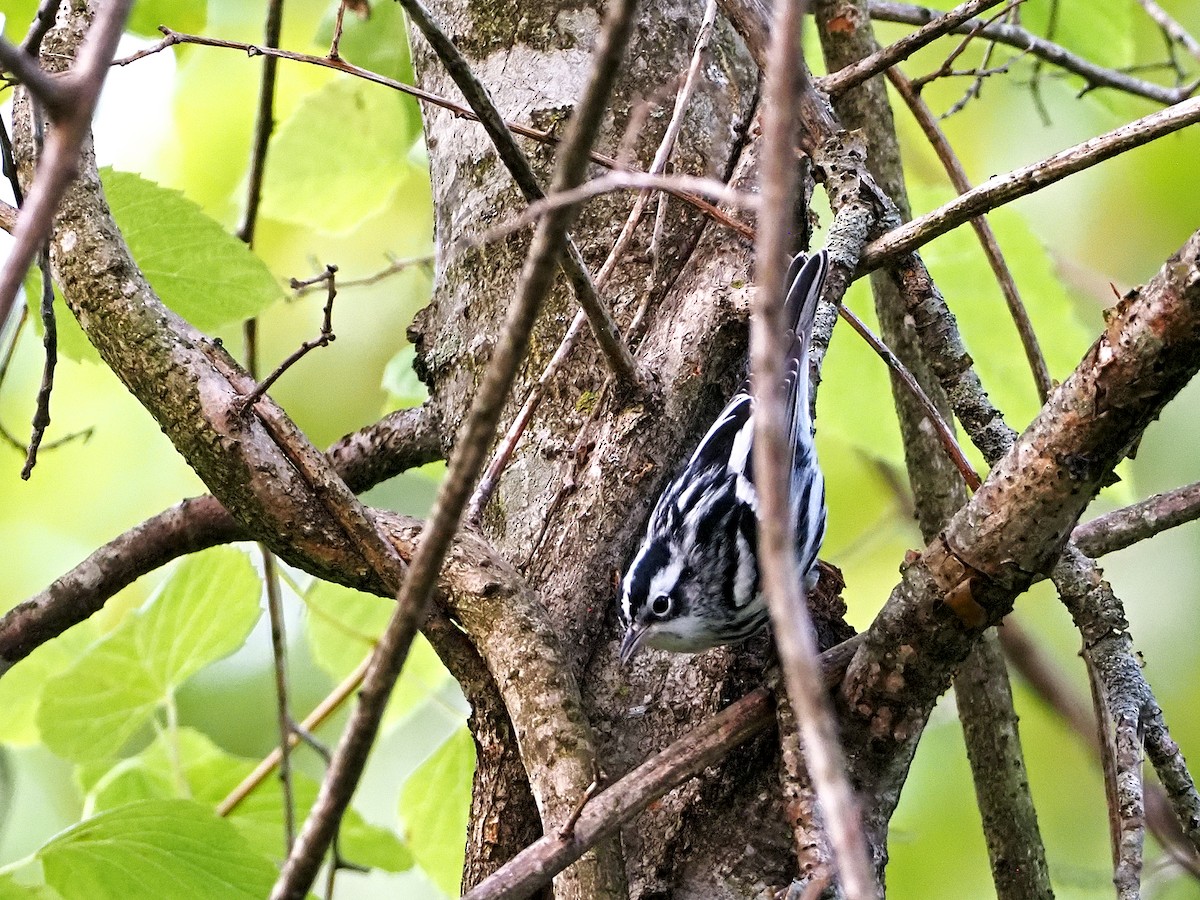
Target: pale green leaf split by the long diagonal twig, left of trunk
[{"x": 344, "y": 626}]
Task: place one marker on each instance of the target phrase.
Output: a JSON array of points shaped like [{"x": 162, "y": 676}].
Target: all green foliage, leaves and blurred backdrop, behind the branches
[{"x": 141, "y": 717}]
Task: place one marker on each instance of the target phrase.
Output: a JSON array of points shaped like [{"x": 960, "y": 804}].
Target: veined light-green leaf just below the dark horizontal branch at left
[{"x": 203, "y": 614}]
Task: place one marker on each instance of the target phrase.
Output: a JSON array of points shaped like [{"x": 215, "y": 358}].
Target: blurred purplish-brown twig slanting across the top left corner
[{"x": 71, "y": 107}]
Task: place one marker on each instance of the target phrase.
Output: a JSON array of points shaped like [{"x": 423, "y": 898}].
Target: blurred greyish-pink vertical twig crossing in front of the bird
[{"x": 782, "y": 583}]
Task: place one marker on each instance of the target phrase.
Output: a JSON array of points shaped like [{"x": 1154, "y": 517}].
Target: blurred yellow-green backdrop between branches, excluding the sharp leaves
[{"x": 347, "y": 184}]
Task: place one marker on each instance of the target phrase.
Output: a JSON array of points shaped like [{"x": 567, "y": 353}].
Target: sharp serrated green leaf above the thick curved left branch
[{"x": 197, "y": 268}]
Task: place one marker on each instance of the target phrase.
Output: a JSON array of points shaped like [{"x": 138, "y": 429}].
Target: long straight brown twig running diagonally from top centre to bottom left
[{"x": 465, "y": 467}]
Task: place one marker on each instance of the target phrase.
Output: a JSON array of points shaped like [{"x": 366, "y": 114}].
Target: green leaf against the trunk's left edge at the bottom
[{"x": 436, "y": 806}]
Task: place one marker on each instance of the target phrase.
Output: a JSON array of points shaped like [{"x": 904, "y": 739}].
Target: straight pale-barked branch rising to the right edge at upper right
[{"x": 1004, "y": 189}]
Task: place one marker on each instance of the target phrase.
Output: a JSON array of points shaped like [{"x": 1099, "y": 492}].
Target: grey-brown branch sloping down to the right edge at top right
[{"x": 1047, "y": 51}]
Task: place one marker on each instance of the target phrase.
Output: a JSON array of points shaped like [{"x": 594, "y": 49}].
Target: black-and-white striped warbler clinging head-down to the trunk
[{"x": 694, "y": 583}]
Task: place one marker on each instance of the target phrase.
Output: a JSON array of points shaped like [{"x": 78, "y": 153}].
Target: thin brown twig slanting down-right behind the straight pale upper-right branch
[{"x": 958, "y": 177}]
